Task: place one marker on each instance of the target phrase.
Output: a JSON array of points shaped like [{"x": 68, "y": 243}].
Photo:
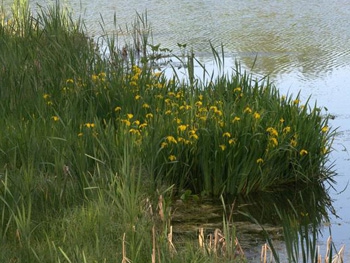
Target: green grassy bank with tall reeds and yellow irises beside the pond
[{"x": 95, "y": 142}]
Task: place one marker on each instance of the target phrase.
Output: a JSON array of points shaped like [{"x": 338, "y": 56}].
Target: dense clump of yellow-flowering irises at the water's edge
[{"x": 232, "y": 128}]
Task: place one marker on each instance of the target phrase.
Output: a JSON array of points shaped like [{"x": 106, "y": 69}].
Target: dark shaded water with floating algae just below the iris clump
[{"x": 302, "y": 211}]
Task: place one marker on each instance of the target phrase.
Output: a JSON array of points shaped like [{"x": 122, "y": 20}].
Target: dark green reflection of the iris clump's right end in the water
[{"x": 301, "y": 215}]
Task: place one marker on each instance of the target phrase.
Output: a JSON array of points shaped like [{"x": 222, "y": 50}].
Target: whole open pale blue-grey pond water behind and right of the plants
[{"x": 302, "y": 45}]
